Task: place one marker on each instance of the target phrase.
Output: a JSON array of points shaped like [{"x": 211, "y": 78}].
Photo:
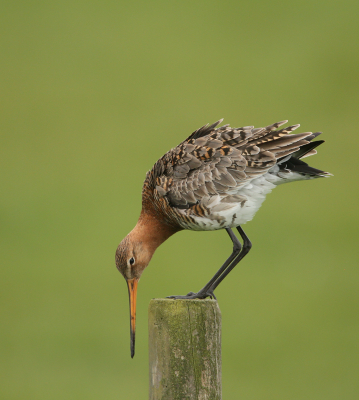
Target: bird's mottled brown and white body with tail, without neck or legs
[{"x": 218, "y": 177}]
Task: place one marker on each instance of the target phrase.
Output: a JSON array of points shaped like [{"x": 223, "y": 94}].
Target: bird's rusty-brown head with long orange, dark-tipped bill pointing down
[{"x": 132, "y": 257}]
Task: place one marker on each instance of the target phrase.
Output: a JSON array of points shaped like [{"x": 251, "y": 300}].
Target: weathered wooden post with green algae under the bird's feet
[{"x": 185, "y": 349}]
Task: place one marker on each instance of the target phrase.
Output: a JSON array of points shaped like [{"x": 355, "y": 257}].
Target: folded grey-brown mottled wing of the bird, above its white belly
[{"x": 214, "y": 161}]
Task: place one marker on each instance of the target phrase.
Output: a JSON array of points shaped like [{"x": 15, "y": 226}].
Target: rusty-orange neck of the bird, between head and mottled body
[{"x": 151, "y": 232}]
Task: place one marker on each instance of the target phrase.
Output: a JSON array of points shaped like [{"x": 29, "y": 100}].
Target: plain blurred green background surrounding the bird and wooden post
[{"x": 92, "y": 94}]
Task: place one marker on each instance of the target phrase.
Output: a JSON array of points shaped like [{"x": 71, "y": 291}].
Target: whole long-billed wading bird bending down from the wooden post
[{"x": 215, "y": 179}]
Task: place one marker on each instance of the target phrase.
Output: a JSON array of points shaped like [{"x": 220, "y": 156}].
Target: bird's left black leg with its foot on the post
[{"x": 207, "y": 290}]
